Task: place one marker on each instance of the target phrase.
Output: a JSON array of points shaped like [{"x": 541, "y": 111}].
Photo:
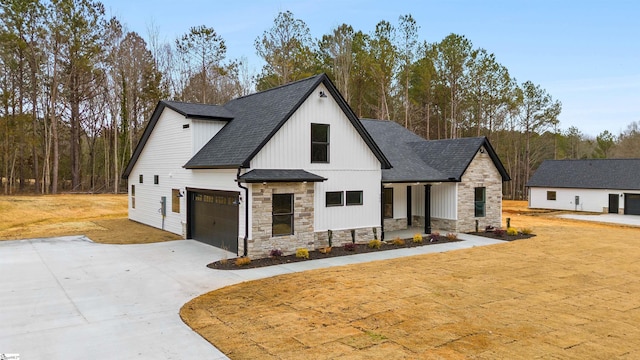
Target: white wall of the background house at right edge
[{"x": 594, "y": 200}]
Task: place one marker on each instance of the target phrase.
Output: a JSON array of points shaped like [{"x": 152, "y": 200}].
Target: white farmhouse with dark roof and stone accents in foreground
[{"x": 294, "y": 167}]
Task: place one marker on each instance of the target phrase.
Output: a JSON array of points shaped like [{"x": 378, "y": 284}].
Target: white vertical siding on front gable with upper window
[{"x": 352, "y": 165}]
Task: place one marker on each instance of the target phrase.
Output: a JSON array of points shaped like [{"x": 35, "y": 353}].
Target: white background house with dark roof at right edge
[{"x": 595, "y": 185}]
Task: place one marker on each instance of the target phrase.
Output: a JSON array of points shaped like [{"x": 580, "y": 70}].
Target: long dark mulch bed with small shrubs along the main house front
[{"x": 335, "y": 251}]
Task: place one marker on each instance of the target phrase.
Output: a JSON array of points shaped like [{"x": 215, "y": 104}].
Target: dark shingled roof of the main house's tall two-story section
[{"x": 252, "y": 121}]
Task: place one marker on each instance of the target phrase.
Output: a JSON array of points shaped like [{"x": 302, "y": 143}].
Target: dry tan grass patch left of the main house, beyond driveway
[{"x": 102, "y": 218}]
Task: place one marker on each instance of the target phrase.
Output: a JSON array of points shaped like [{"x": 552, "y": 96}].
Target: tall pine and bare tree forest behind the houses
[{"x": 77, "y": 88}]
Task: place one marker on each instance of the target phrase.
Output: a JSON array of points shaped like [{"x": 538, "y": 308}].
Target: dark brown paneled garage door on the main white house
[{"x": 213, "y": 218}]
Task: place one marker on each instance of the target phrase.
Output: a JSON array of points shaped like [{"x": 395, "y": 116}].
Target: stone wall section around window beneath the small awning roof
[{"x": 262, "y": 241}]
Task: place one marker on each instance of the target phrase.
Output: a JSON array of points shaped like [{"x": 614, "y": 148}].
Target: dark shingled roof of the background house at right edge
[{"x": 619, "y": 174}]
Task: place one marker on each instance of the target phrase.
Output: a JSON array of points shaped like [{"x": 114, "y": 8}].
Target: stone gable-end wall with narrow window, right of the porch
[{"x": 480, "y": 173}]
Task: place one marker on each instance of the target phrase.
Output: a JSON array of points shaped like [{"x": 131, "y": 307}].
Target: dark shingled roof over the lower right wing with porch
[{"x": 415, "y": 159}]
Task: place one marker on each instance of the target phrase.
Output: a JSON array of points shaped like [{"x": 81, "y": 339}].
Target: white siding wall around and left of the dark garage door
[{"x": 168, "y": 148}]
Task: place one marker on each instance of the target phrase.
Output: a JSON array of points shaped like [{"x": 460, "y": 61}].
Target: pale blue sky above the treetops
[{"x": 584, "y": 53}]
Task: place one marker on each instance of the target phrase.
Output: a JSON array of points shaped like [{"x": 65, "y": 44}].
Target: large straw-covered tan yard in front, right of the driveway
[{"x": 571, "y": 292}]
